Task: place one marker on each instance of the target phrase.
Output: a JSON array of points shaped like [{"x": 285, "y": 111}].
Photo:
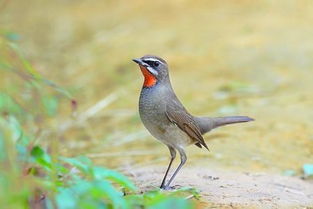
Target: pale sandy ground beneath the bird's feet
[{"x": 227, "y": 189}]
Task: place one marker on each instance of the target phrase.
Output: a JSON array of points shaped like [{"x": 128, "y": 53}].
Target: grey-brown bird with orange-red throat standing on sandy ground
[{"x": 165, "y": 117}]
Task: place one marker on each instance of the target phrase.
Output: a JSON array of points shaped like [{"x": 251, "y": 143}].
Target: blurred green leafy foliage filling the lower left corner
[{"x": 32, "y": 174}]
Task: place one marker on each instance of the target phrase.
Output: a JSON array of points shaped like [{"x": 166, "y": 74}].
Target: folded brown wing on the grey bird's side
[{"x": 186, "y": 123}]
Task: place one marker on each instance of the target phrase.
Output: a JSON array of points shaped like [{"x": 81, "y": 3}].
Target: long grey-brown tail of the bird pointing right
[{"x": 206, "y": 123}]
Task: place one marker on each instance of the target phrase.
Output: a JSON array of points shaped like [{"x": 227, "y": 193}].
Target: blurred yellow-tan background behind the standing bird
[{"x": 226, "y": 58}]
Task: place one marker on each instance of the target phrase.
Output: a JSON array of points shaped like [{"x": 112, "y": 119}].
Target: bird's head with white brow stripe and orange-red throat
[{"x": 153, "y": 68}]
